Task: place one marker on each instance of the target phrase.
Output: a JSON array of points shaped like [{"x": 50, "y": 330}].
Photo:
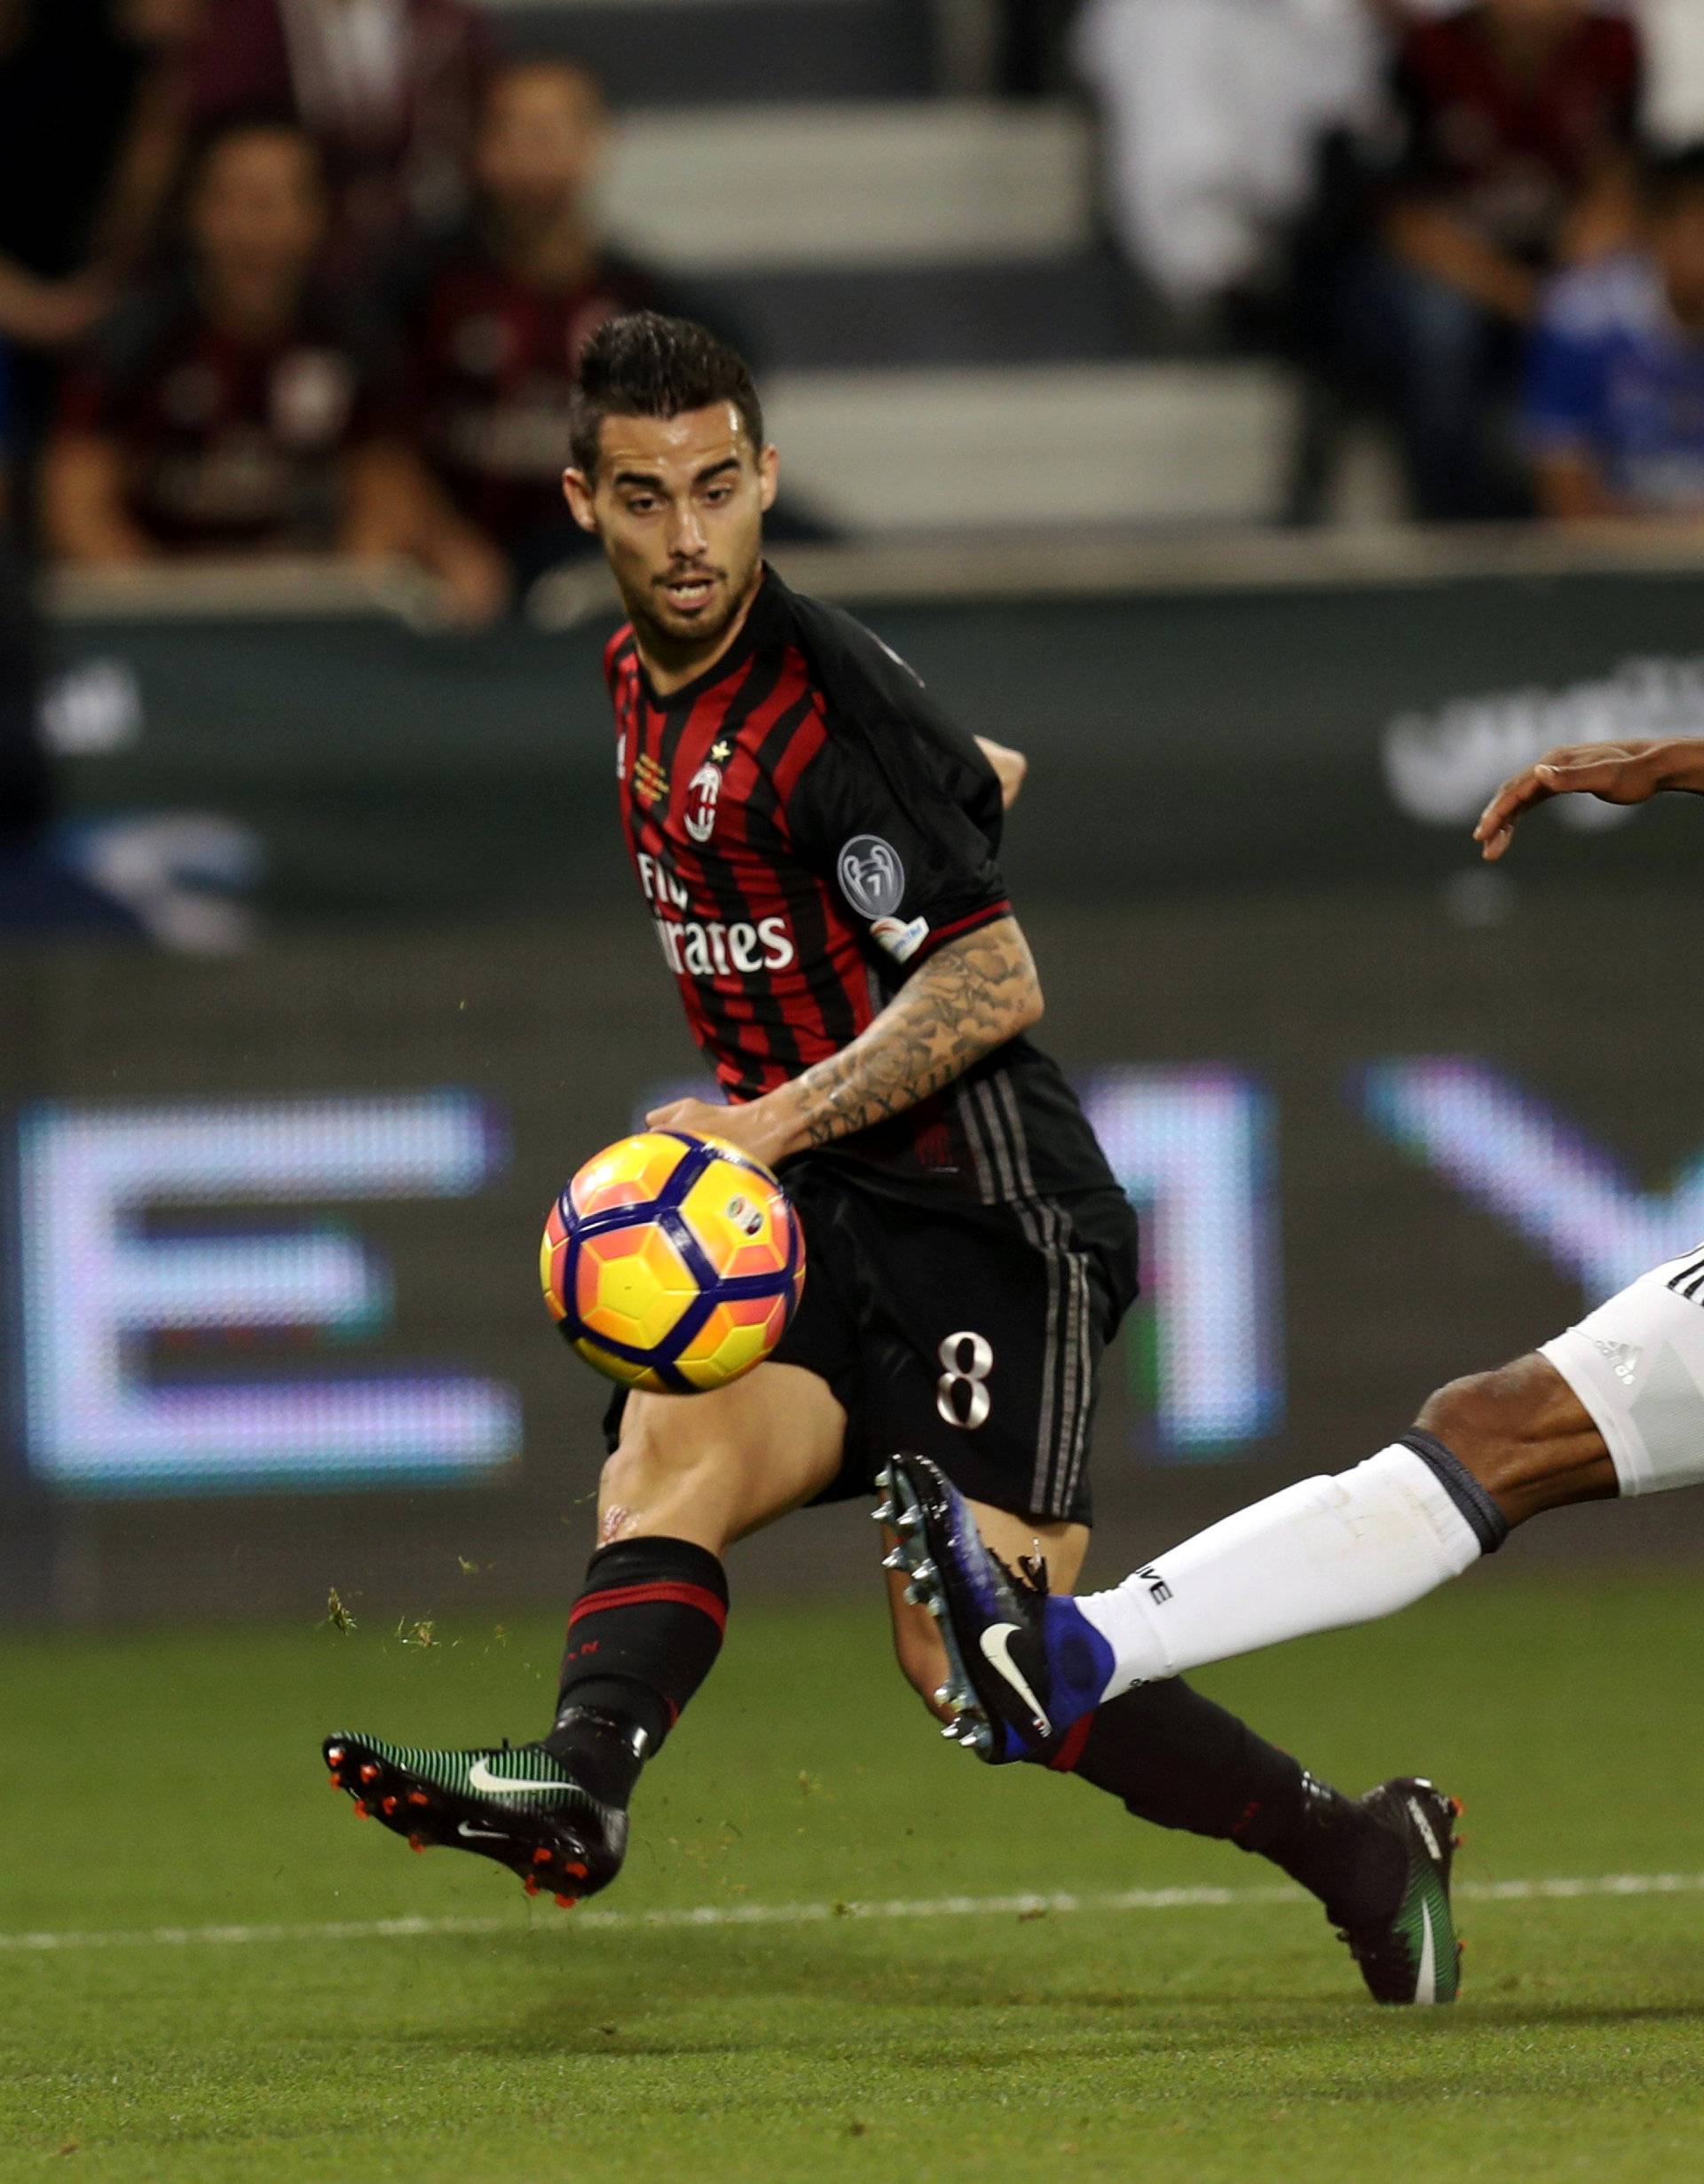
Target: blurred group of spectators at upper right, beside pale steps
[{"x": 1482, "y": 224}]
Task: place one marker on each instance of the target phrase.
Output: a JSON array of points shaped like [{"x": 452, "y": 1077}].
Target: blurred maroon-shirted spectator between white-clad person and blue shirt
[{"x": 1519, "y": 121}]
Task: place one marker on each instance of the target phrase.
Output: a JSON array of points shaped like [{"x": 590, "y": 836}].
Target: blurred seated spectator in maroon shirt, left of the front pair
[{"x": 246, "y": 407}]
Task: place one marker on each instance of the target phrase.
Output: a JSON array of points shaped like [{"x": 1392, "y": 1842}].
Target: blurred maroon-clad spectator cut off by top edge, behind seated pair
[{"x": 386, "y": 86}]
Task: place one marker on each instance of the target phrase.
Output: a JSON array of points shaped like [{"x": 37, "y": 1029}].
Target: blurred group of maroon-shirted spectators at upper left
[{"x": 296, "y": 276}]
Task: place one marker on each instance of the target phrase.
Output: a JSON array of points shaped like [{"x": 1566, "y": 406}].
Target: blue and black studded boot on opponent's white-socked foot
[{"x": 1023, "y": 1663}]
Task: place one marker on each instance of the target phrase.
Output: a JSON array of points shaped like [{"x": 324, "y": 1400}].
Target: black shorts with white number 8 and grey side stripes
[{"x": 967, "y": 1333}]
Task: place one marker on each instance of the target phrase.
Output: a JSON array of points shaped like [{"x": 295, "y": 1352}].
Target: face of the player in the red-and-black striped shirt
[{"x": 678, "y": 506}]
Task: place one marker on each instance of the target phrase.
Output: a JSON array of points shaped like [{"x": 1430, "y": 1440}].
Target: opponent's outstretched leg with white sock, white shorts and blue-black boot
[{"x": 1613, "y": 1405}]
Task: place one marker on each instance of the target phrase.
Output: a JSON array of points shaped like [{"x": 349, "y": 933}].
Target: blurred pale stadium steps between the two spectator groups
[{"x": 921, "y": 276}]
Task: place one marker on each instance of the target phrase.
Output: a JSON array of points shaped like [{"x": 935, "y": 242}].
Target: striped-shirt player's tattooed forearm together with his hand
[{"x": 971, "y": 997}]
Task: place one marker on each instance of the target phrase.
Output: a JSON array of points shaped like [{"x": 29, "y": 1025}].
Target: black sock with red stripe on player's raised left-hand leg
[{"x": 641, "y": 1639}]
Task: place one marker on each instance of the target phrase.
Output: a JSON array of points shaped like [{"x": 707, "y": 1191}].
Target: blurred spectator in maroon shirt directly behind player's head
[{"x": 499, "y": 311}]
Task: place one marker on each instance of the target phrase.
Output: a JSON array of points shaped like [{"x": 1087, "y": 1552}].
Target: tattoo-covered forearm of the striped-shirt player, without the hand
[{"x": 969, "y": 999}]
